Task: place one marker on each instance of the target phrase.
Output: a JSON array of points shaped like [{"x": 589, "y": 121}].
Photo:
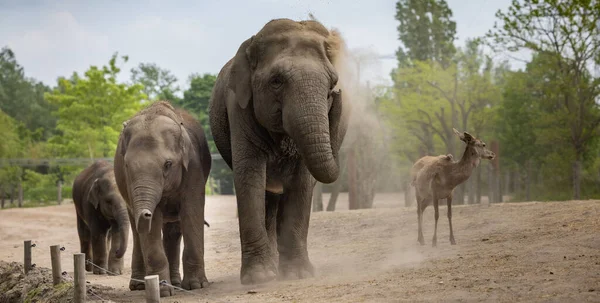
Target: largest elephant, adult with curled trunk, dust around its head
[{"x": 278, "y": 120}]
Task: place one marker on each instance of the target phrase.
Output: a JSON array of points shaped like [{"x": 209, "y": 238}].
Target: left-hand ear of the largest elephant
[{"x": 239, "y": 77}]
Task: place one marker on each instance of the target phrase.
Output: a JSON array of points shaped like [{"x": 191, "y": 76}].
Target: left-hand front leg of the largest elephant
[{"x": 250, "y": 183}]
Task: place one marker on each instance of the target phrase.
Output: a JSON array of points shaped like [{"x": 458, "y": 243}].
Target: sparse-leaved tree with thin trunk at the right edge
[{"x": 565, "y": 32}]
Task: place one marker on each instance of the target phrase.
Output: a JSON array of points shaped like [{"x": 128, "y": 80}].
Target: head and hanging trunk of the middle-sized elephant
[{"x": 156, "y": 151}]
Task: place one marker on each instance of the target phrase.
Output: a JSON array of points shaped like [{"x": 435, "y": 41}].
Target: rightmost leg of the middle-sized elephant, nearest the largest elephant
[{"x": 192, "y": 227}]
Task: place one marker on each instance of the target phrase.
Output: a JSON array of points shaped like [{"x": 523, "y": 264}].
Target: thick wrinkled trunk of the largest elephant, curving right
[{"x": 306, "y": 121}]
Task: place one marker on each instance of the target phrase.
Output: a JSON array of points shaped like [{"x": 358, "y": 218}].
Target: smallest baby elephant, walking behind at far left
[{"x": 101, "y": 210}]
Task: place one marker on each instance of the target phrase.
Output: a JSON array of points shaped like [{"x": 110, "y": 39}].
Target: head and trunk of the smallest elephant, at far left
[{"x": 105, "y": 197}]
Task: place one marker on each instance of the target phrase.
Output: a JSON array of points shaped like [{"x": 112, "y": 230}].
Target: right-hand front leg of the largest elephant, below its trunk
[{"x": 292, "y": 230}]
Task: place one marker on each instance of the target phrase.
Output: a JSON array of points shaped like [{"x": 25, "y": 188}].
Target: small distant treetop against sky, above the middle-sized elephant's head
[{"x": 159, "y": 83}]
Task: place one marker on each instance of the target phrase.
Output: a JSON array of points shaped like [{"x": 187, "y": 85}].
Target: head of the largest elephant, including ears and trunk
[{"x": 286, "y": 74}]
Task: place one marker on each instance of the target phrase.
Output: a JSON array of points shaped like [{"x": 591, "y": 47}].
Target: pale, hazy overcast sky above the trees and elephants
[{"x": 56, "y": 38}]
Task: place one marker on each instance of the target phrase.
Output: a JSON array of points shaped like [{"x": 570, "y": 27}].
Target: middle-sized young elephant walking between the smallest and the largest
[{"x": 161, "y": 167}]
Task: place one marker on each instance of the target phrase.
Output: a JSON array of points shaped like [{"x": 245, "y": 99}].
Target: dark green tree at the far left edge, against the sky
[{"x": 22, "y": 98}]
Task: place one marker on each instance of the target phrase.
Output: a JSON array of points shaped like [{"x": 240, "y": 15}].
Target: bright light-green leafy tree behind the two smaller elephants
[{"x": 91, "y": 110}]
